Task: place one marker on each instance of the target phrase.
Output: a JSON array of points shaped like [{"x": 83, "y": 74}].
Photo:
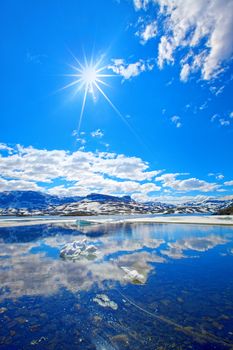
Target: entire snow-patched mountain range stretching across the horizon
[{"x": 35, "y": 203}]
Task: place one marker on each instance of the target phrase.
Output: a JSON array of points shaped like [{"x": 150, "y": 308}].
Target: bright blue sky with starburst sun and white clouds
[{"x": 159, "y": 124}]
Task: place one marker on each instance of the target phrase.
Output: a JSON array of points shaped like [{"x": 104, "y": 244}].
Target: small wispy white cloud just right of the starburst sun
[{"x": 130, "y": 70}]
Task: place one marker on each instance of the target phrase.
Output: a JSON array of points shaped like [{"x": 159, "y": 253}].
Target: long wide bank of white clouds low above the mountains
[{"x": 83, "y": 172}]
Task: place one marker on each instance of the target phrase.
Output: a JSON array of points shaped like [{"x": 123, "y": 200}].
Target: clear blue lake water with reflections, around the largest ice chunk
[{"x": 149, "y": 286}]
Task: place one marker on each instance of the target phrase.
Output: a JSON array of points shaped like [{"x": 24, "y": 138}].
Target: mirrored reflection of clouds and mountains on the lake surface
[{"x": 30, "y": 262}]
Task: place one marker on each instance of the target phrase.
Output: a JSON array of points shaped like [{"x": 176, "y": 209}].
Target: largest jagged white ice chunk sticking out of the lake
[{"x": 77, "y": 249}]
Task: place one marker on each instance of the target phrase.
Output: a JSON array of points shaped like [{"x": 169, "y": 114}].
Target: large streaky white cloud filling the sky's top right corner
[{"x": 201, "y": 28}]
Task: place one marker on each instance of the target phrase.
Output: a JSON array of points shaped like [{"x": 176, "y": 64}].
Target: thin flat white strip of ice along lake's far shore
[{"x": 223, "y": 220}]
